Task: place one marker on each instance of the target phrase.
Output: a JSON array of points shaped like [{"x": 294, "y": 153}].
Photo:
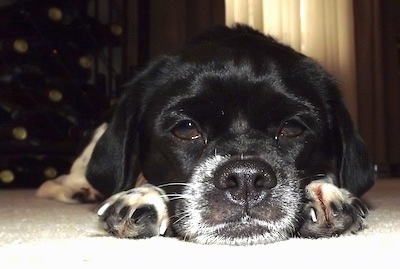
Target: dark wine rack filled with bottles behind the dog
[{"x": 58, "y": 77}]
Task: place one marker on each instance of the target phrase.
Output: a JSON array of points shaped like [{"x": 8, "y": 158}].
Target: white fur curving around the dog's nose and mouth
[{"x": 194, "y": 227}]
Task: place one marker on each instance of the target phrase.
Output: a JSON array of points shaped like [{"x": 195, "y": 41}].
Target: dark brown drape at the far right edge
[{"x": 378, "y": 78}]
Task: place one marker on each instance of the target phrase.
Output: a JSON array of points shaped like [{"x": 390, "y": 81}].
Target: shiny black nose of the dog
[{"x": 244, "y": 179}]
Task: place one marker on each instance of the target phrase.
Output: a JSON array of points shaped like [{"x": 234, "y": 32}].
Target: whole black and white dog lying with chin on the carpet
[{"x": 236, "y": 139}]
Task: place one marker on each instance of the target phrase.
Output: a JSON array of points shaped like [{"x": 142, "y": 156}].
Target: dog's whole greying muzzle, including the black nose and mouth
[{"x": 239, "y": 200}]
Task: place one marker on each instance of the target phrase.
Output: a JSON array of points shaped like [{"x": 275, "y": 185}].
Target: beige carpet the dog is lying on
[{"x": 36, "y": 233}]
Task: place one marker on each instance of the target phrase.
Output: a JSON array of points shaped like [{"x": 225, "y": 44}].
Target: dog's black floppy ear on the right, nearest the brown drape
[{"x": 356, "y": 169}]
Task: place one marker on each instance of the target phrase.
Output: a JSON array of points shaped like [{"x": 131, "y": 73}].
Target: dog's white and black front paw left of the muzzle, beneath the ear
[{"x": 137, "y": 213}]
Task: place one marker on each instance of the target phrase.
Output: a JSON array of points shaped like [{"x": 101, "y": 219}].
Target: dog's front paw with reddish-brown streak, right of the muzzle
[{"x": 331, "y": 211}]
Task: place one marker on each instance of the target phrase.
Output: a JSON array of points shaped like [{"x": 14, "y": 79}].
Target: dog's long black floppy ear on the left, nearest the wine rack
[{"x": 114, "y": 164}]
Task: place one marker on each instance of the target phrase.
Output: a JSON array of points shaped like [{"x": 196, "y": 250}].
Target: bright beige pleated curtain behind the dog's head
[{"x": 321, "y": 29}]
